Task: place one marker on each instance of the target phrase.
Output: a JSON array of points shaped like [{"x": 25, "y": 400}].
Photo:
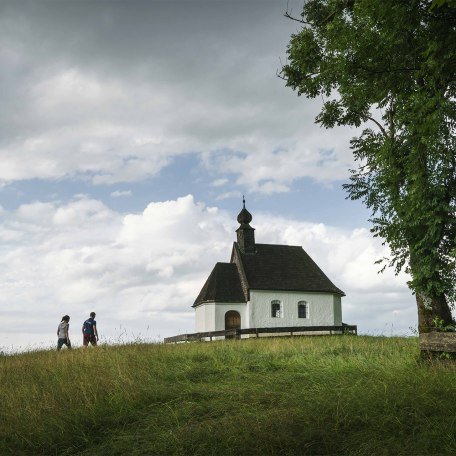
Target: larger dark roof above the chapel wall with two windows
[{"x": 283, "y": 267}]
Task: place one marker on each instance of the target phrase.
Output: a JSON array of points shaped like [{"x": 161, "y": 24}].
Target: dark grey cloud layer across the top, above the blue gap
[{"x": 115, "y": 95}]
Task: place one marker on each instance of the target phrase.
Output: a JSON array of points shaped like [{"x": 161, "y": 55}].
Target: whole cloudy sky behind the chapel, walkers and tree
[{"x": 129, "y": 131}]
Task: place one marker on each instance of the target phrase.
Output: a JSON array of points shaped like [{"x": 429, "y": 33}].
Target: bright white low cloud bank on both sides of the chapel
[{"x": 142, "y": 271}]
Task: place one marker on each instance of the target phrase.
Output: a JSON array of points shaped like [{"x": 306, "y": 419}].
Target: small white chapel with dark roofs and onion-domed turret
[{"x": 266, "y": 286}]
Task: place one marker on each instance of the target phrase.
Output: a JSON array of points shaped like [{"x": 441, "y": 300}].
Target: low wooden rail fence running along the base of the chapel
[{"x": 264, "y": 332}]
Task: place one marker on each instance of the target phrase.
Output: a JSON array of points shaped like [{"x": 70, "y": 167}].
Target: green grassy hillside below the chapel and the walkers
[{"x": 282, "y": 396}]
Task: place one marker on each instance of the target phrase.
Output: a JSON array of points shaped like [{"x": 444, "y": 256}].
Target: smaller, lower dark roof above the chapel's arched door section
[{"x": 223, "y": 285}]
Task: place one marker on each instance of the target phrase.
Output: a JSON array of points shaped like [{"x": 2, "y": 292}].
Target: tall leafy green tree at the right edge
[{"x": 390, "y": 67}]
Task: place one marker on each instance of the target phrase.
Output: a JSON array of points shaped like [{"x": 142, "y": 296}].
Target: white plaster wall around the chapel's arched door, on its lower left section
[{"x": 211, "y": 316}]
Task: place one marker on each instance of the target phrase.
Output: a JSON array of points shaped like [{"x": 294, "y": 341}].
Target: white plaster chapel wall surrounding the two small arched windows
[{"x": 321, "y": 309}]
